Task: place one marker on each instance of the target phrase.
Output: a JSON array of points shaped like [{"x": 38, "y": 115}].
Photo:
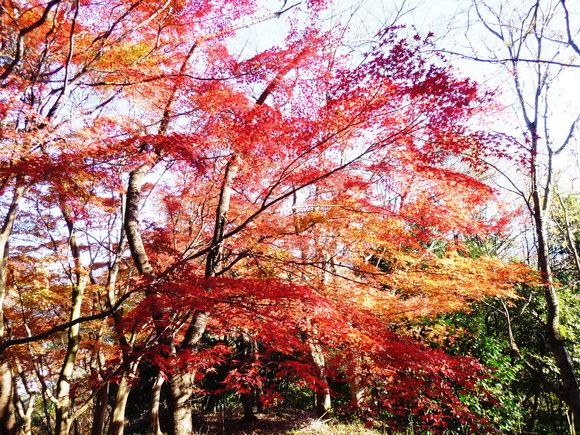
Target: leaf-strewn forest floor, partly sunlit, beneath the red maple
[{"x": 279, "y": 421}]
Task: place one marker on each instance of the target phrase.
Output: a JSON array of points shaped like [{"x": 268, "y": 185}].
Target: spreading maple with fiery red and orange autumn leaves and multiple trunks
[{"x": 159, "y": 187}]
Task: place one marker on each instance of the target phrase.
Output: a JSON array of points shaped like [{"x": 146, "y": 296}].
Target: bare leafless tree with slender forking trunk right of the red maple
[{"x": 535, "y": 111}]
